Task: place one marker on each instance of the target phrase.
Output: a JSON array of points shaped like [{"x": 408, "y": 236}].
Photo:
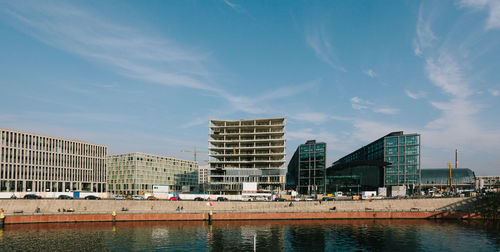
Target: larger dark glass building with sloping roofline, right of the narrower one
[{"x": 393, "y": 159}]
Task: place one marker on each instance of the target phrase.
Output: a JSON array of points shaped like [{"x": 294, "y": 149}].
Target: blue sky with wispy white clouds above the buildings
[{"x": 146, "y": 76}]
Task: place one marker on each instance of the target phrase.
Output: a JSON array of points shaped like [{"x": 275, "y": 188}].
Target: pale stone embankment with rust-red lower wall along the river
[{"x": 52, "y": 210}]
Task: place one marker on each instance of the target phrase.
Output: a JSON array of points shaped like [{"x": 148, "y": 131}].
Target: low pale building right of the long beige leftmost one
[{"x": 133, "y": 173}]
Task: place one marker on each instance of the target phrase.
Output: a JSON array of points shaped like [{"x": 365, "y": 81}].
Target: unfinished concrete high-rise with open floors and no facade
[{"x": 246, "y": 151}]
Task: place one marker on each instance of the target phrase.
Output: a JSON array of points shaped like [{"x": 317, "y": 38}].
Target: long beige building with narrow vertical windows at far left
[{"x": 37, "y": 163}]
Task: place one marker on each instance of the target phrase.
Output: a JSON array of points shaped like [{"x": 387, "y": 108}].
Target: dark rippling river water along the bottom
[{"x": 311, "y": 235}]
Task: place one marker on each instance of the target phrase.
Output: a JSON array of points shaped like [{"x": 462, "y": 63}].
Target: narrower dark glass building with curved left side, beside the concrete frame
[{"x": 306, "y": 169}]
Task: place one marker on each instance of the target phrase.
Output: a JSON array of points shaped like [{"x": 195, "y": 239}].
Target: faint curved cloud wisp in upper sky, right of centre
[{"x": 319, "y": 41}]
